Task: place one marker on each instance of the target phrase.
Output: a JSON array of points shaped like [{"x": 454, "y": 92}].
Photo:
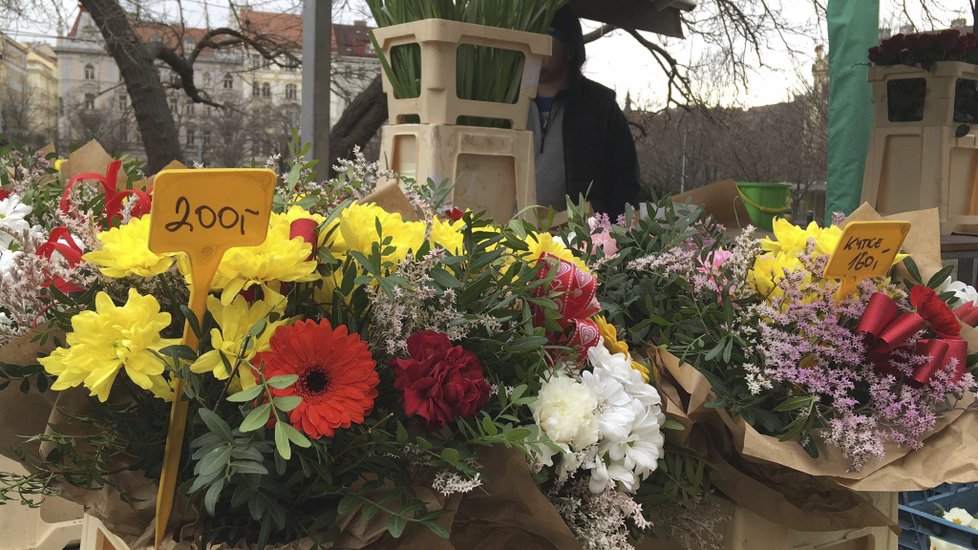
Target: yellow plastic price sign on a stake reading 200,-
[{"x": 202, "y": 213}]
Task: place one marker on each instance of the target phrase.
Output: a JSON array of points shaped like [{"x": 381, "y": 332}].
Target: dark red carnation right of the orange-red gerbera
[{"x": 439, "y": 381}]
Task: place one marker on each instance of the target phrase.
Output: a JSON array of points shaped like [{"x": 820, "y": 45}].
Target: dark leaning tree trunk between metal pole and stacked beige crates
[{"x": 359, "y": 122}]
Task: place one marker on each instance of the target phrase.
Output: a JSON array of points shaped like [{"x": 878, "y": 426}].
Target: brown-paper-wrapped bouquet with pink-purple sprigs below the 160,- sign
[{"x": 782, "y": 383}]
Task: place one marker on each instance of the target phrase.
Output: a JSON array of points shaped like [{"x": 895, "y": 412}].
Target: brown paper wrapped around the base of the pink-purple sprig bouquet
[{"x": 781, "y": 482}]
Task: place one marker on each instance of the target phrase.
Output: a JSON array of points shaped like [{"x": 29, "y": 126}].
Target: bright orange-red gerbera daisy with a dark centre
[{"x": 337, "y": 375}]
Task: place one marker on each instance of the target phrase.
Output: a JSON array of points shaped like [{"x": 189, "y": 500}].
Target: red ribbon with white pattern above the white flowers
[{"x": 575, "y": 304}]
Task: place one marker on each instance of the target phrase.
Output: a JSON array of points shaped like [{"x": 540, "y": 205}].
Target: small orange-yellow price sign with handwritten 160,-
[{"x": 866, "y": 249}]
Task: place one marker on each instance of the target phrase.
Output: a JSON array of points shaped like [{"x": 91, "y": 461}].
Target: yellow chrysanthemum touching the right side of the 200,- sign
[{"x": 279, "y": 259}]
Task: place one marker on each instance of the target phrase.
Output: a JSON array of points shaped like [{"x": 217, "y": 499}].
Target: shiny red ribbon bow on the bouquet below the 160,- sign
[{"x": 887, "y": 329}]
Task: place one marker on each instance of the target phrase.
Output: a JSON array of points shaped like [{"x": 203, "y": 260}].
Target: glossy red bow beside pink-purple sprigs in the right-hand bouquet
[{"x": 887, "y": 329}]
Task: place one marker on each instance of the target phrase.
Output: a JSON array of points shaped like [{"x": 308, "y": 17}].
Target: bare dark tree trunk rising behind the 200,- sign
[{"x": 156, "y": 126}]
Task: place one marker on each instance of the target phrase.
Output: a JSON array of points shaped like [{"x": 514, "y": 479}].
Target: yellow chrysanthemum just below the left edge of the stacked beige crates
[{"x": 358, "y": 228}]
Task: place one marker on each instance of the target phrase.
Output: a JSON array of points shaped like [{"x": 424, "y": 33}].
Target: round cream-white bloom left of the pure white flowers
[{"x": 564, "y": 411}]
